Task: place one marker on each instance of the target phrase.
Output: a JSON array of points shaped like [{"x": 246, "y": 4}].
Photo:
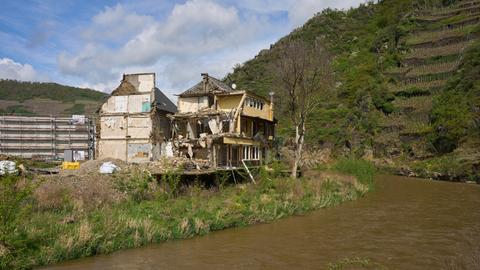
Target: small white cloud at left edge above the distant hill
[{"x": 10, "y": 69}]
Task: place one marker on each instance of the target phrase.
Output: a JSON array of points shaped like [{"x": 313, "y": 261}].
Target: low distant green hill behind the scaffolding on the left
[{"x": 34, "y": 98}]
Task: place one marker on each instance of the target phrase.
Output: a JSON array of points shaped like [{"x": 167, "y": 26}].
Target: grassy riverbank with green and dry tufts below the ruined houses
[{"x": 153, "y": 212}]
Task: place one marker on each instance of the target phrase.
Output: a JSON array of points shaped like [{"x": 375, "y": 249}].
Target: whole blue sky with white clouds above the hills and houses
[{"x": 91, "y": 43}]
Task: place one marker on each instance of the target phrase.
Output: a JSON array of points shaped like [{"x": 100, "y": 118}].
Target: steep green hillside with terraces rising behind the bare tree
[{"x": 407, "y": 84}]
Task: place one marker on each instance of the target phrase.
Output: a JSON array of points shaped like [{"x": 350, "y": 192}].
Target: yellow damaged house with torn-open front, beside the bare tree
[{"x": 222, "y": 125}]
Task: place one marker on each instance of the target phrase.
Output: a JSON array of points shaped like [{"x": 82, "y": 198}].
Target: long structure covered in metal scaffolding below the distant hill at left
[{"x": 47, "y": 138}]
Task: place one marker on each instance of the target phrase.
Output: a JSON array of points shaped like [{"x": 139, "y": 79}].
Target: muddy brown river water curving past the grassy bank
[{"x": 403, "y": 224}]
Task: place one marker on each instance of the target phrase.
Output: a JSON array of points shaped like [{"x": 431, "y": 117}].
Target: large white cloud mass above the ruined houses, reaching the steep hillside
[{"x": 196, "y": 36}]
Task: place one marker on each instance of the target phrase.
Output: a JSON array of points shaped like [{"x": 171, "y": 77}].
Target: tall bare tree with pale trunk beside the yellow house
[{"x": 303, "y": 76}]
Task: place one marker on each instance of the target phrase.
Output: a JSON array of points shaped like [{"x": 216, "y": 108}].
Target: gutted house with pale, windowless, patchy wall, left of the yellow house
[{"x": 133, "y": 123}]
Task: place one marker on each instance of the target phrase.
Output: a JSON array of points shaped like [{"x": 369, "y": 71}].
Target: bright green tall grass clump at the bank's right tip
[{"x": 364, "y": 170}]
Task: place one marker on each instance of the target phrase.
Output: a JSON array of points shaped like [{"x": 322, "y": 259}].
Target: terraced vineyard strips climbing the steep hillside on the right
[{"x": 432, "y": 52}]
